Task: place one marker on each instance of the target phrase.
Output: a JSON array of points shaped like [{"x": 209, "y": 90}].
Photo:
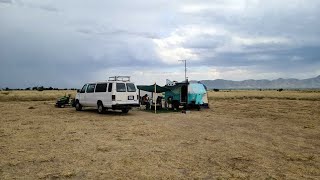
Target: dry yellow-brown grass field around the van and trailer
[{"x": 244, "y": 135}]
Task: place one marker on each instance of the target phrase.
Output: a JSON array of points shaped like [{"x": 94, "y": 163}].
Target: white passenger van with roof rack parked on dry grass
[{"x": 117, "y": 94}]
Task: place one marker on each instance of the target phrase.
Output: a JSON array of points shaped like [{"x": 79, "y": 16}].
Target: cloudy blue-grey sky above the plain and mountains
[{"x": 67, "y": 43}]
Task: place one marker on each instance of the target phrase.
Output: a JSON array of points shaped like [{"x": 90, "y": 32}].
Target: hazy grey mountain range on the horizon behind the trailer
[{"x": 263, "y": 84}]
